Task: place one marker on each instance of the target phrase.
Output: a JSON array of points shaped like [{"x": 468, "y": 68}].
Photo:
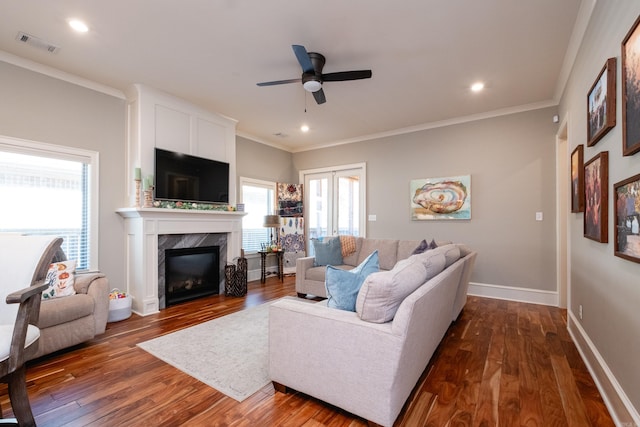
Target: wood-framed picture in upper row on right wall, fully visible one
[{"x": 601, "y": 103}]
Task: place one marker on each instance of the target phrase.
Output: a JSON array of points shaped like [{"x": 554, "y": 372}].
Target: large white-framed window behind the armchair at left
[{"x": 52, "y": 190}]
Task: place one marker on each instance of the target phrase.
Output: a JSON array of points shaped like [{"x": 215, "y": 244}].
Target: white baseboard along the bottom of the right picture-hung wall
[{"x": 618, "y": 404}]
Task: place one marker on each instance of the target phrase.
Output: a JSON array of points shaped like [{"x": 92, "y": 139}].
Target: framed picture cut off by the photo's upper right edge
[{"x": 631, "y": 91}]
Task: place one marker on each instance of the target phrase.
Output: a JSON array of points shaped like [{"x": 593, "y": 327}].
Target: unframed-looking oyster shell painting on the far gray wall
[{"x": 441, "y": 198}]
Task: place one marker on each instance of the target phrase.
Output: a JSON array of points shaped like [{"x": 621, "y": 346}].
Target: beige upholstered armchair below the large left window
[{"x": 76, "y": 318}]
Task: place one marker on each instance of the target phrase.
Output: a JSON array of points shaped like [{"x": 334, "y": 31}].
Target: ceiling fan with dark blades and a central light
[{"x": 312, "y": 77}]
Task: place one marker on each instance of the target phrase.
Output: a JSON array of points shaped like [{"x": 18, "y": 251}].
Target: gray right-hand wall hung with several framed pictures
[{"x": 606, "y": 286}]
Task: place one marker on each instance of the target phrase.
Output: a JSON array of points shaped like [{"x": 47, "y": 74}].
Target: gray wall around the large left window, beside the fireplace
[{"x": 45, "y": 109}]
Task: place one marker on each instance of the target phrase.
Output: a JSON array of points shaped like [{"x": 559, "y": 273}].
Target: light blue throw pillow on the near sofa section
[{"x": 343, "y": 285}]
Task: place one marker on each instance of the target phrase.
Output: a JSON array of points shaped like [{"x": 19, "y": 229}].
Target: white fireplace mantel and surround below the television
[{"x": 142, "y": 227}]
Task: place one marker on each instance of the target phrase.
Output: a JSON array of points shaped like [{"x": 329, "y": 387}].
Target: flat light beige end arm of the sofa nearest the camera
[{"x": 337, "y": 358}]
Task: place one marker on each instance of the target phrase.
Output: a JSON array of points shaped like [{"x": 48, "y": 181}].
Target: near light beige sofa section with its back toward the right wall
[{"x": 365, "y": 367}]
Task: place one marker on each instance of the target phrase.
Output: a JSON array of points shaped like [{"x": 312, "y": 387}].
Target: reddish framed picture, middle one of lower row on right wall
[{"x": 596, "y": 196}]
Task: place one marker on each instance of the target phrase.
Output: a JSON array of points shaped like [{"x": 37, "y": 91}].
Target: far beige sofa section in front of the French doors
[{"x": 310, "y": 278}]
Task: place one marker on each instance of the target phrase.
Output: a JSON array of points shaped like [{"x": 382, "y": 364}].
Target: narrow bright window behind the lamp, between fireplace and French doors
[{"x": 259, "y": 200}]
